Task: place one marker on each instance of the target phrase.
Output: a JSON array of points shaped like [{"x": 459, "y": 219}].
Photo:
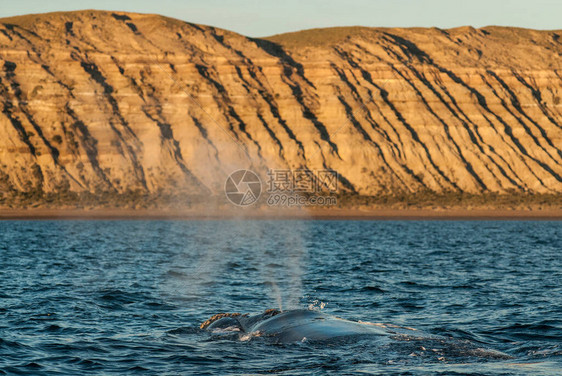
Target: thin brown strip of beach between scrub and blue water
[{"x": 285, "y": 214}]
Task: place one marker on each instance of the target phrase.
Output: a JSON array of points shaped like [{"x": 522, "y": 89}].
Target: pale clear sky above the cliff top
[{"x": 267, "y": 17}]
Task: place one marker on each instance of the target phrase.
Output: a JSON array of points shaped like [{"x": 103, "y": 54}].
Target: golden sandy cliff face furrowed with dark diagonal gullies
[{"x": 114, "y": 102}]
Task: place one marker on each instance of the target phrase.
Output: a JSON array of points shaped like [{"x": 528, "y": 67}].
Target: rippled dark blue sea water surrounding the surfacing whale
[{"x": 127, "y": 297}]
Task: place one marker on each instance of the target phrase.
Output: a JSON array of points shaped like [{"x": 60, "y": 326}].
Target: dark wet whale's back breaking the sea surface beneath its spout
[{"x": 313, "y": 326}]
